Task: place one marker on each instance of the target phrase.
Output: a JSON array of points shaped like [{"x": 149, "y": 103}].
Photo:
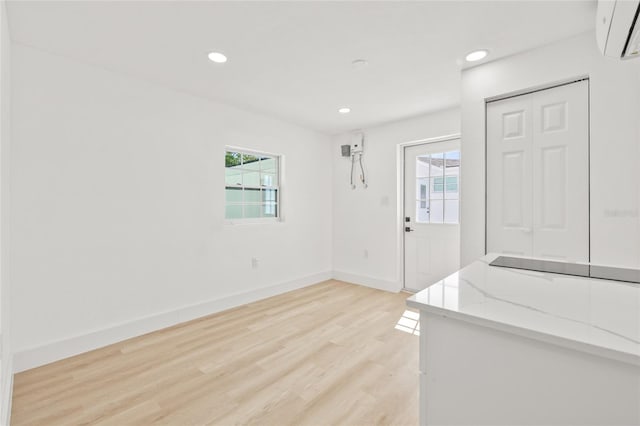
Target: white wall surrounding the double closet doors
[{"x": 615, "y": 141}]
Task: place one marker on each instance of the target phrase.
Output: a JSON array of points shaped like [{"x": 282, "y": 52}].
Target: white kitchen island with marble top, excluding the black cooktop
[{"x": 501, "y": 346}]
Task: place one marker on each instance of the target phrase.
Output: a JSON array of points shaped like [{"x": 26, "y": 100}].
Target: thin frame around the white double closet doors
[{"x": 522, "y": 92}]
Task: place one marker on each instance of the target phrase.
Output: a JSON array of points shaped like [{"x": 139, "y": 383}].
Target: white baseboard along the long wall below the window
[{"x": 26, "y": 359}]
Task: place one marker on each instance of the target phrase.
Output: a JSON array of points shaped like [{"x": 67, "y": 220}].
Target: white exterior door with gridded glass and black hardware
[{"x": 431, "y": 212}]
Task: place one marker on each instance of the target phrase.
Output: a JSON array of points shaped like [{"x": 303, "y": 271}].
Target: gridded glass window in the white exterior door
[{"x": 437, "y": 198}]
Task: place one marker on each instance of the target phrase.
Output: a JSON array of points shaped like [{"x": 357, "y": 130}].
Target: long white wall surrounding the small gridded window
[{"x": 117, "y": 207}]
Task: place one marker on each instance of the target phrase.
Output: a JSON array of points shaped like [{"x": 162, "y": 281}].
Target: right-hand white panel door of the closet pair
[{"x": 561, "y": 187}]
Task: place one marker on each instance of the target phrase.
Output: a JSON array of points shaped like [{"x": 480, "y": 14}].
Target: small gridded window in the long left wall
[{"x": 251, "y": 185}]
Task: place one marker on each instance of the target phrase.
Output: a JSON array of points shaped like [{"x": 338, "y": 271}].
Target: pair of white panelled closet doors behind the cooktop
[{"x": 538, "y": 174}]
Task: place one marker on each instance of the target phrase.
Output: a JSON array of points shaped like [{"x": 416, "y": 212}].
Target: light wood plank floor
[{"x": 325, "y": 354}]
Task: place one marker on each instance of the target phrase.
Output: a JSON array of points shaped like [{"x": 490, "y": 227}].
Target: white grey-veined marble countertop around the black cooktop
[{"x": 596, "y": 316}]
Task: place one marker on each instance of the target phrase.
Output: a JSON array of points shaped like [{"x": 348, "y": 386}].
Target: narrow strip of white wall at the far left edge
[{"x": 6, "y": 373}]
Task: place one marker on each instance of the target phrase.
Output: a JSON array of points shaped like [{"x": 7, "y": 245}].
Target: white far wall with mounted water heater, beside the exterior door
[{"x": 367, "y": 219}]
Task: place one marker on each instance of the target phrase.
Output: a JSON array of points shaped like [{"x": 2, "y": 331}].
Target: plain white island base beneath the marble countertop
[{"x": 471, "y": 374}]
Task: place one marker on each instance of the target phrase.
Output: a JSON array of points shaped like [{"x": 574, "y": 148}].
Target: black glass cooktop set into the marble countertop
[{"x": 575, "y": 269}]
